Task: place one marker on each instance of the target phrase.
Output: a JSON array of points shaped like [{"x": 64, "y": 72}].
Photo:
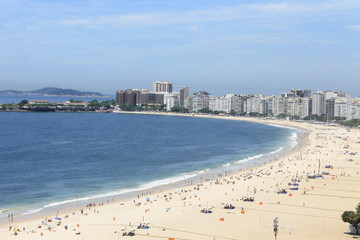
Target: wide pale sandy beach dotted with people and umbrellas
[{"x": 306, "y": 208}]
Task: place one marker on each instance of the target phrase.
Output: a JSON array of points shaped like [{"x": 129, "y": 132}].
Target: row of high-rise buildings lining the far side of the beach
[{"x": 295, "y": 103}]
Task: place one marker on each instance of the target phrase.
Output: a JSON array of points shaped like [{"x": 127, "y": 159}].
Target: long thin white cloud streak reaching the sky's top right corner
[{"x": 215, "y": 14}]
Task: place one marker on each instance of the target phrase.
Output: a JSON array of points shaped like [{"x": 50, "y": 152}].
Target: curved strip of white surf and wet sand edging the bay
[{"x": 174, "y": 182}]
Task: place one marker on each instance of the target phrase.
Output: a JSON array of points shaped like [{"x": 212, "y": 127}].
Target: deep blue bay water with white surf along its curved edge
[{"x": 52, "y": 159}]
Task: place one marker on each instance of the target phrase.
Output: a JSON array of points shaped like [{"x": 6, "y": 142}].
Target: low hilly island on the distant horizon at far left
[{"x": 51, "y": 91}]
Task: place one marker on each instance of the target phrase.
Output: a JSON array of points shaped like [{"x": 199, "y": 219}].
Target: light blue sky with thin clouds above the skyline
[{"x": 221, "y": 46}]
